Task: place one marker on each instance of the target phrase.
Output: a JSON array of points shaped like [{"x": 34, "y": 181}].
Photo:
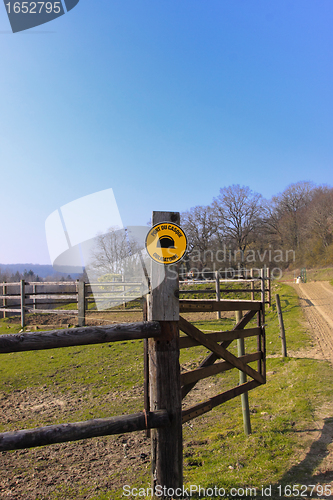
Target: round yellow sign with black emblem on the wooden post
[{"x": 166, "y": 243}]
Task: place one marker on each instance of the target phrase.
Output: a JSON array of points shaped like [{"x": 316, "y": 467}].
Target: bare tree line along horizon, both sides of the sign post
[{"x": 239, "y": 229}]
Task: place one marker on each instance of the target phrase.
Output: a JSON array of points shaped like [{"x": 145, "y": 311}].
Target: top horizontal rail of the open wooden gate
[{"x": 200, "y": 305}]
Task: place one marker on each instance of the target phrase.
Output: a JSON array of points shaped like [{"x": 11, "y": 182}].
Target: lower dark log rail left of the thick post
[{"x": 29, "y": 438}]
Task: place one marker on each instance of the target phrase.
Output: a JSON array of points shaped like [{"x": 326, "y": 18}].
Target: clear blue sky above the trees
[{"x": 165, "y": 101}]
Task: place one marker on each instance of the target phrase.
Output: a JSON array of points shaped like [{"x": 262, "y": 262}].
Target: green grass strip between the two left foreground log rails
[{"x": 96, "y": 366}]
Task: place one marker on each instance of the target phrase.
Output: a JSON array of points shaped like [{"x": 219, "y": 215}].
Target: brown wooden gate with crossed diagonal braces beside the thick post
[{"x": 218, "y": 343}]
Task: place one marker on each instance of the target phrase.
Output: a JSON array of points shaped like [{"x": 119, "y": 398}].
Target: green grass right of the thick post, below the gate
[{"x": 283, "y": 409}]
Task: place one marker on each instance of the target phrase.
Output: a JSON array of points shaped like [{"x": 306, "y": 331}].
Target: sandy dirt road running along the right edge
[{"x": 316, "y": 298}]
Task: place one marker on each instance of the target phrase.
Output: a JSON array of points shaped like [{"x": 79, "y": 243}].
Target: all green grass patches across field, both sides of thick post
[{"x": 216, "y": 451}]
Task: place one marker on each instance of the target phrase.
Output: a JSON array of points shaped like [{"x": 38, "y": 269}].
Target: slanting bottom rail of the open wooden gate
[{"x": 209, "y": 404}]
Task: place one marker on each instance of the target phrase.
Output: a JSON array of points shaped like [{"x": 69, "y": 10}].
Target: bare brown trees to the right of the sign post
[{"x": 240, "y": 228}]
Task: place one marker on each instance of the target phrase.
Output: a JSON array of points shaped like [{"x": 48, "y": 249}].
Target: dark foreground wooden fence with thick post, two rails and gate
[{"x": 165, "y": 385}]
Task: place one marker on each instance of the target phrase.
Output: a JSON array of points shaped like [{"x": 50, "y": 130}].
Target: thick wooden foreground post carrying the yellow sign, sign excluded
[{"x": 164, "y": 370}]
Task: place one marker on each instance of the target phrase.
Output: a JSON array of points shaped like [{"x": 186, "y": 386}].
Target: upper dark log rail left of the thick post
[{"x": 78, "y": 336}]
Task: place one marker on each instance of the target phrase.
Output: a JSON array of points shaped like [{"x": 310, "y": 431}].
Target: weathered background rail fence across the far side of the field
[{"x": 21, "y": 298}]
